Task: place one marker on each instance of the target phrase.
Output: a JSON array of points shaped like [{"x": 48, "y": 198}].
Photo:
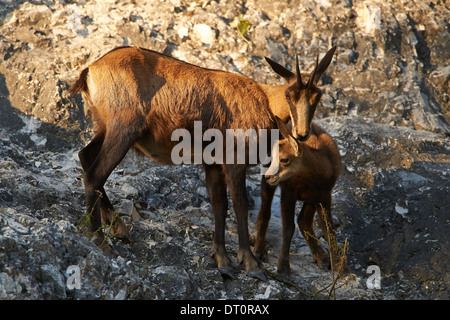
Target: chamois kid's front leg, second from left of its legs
[{"x": 288, "y": 200}]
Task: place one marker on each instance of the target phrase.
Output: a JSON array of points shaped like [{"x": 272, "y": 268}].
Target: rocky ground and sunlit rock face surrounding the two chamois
[{"x": 386, "y": 102}]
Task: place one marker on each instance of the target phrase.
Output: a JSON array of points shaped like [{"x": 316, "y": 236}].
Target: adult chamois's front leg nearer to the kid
[{"x": 235, "y": 177}]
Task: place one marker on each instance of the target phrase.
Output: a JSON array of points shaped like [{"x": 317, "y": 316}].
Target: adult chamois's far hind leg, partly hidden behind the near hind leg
[{"x": 109, "y": 215}]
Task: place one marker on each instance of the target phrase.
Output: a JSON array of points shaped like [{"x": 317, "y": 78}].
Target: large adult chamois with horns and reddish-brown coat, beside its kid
[{"x": 138, "y": 98}]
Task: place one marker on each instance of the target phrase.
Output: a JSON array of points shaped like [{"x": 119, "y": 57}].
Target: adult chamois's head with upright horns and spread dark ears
[{"x": 303, "y": 98}]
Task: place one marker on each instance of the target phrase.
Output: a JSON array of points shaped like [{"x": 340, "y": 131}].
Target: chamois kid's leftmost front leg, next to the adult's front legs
[{"x": 262, "y": 223}]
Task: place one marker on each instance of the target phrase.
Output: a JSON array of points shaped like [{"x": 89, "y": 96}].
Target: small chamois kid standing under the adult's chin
[{"x": 307, "y": 172}]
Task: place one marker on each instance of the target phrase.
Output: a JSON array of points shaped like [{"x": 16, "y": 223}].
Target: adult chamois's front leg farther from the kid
[{"x": 217, "y": 190}]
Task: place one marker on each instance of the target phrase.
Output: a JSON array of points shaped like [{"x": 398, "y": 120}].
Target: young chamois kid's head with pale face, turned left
[{"x": 288, "y": 157}]
